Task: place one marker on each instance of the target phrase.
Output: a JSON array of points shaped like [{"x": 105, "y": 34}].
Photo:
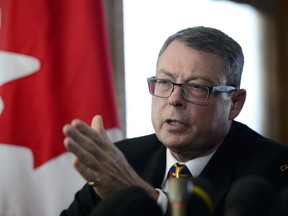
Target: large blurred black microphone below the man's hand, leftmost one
[{"x": 130, "y": 201}]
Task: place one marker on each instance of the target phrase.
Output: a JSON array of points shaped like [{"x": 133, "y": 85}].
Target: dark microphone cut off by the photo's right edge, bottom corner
[{"x": 280, "y": 205}]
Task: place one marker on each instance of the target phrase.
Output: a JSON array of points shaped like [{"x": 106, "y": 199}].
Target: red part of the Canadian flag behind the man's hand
[{"x": 75, "y": 78}]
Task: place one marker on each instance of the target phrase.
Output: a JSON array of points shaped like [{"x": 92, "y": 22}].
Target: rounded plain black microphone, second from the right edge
[{"x": 249, "y": 196}]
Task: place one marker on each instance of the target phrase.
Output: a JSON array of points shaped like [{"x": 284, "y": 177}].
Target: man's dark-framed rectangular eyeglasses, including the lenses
[{"x": 192, "y": 93}]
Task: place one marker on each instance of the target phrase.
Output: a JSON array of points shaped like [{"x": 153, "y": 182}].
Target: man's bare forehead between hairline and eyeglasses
[{"x": 183, "y": 63}]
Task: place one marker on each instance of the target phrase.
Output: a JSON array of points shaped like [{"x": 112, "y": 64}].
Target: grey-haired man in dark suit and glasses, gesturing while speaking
[{"x": 196, "y": 97}]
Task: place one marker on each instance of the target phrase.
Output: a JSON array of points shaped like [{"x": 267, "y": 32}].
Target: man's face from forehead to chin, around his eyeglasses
[{"x": 189, "y": 129}]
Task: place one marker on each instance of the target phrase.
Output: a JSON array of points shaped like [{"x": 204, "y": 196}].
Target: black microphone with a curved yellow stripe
[{"x": 201, "y": 200}]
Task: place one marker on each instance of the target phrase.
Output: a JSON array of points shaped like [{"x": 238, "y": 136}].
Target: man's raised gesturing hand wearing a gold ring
[{"x": 99, "y": 160}]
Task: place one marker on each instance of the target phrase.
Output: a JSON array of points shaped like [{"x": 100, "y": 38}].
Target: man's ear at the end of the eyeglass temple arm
[{"x": 238, "y": 100}]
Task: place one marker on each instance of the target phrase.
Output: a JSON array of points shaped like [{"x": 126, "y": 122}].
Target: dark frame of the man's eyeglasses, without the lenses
[{"x": 220, "y": 88}]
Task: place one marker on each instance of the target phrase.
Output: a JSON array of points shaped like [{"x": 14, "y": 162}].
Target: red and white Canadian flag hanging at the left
[{"x": 54, "y": 66}]
